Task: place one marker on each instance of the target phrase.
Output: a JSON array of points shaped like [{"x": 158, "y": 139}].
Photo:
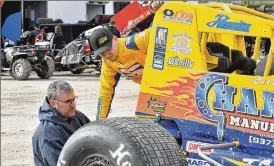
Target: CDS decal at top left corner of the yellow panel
[{"x": 179, "y": 16}]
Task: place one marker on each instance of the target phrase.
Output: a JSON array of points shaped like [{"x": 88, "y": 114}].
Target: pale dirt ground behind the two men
[{"x": 20, "y": 102}]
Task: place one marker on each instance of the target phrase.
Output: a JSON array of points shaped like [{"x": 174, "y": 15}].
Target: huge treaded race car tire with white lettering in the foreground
[{"x": 122, "y": 142}]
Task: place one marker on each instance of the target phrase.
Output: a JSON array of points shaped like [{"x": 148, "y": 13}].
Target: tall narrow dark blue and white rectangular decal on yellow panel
[{"x": 160, "y": 48}]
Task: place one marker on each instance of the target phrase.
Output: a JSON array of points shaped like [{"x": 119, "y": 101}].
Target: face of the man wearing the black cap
[{"x": 111, "y": 54}]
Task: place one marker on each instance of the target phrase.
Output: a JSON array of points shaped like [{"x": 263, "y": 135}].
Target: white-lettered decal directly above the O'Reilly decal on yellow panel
[{"x": 181, "y": 43}]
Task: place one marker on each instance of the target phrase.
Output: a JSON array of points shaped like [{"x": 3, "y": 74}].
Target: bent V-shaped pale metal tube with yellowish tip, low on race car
[{"x": 215, "y": 146}]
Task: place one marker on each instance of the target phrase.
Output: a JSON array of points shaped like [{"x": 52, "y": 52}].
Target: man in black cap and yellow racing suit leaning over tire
[{"x": 120, "y": 56}]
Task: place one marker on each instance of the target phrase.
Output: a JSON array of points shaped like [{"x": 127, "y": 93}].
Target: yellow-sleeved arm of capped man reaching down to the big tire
[{"x": 108, "y": 81}]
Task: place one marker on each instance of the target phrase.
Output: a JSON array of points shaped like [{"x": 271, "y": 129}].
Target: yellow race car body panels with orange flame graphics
[{"x": 174, "y": 67}]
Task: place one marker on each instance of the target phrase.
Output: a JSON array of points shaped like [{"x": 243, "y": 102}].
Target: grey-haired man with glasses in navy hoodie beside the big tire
[{"x": 59, "y": 119}]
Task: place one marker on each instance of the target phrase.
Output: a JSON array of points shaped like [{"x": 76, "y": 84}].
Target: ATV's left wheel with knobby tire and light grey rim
[{"x": 22, "y": 64}]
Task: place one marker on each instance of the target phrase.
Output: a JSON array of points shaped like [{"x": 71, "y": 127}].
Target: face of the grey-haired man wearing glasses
[{"x": 65, "y": 104}]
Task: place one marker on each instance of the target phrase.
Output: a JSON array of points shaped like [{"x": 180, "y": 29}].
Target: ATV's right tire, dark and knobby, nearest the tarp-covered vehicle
[{"x": 48, "y": 68}]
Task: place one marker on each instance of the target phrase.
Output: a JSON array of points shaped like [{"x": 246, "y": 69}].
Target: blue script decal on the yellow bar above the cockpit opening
[{"x": 222, "y": 22}]
